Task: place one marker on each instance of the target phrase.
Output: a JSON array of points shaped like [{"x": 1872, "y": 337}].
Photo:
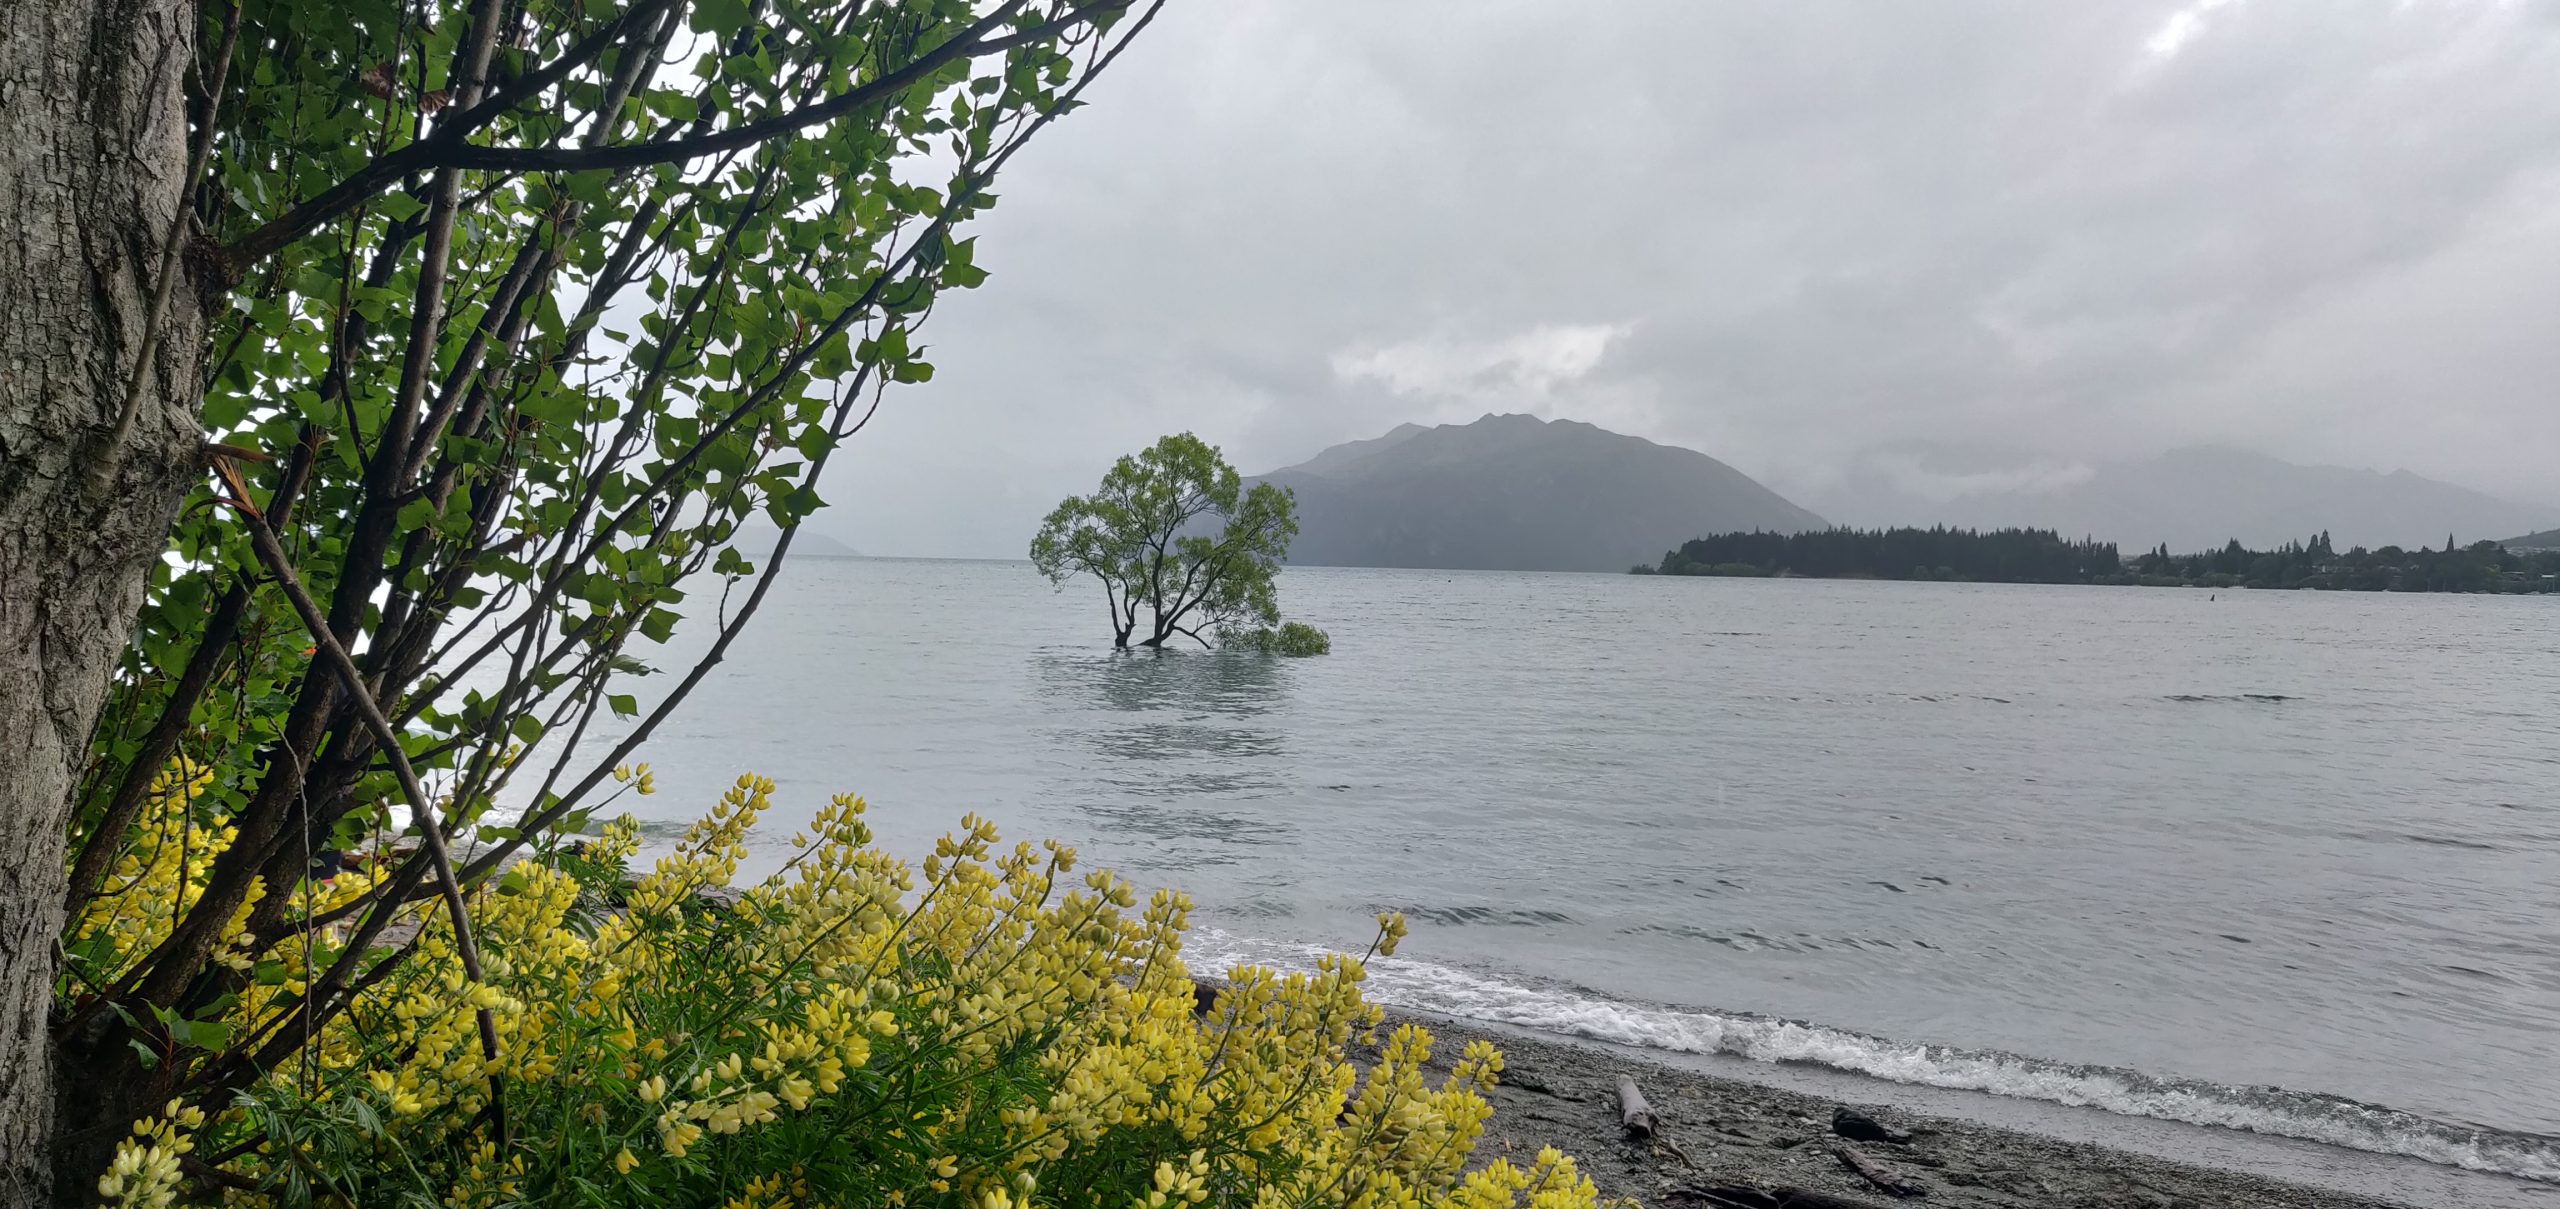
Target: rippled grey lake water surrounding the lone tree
[{"x": 2267, "y": 862}]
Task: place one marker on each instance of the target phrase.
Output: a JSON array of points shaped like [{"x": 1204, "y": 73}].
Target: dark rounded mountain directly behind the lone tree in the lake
[{"x": 1514, "y": 493}]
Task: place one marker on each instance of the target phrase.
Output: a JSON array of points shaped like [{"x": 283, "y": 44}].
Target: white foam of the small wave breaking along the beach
[{"x": 2267, "y": 1110}]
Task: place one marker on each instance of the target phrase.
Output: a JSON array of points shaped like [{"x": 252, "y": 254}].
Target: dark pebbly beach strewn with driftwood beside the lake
[{"x": 1729, "y": 1136}]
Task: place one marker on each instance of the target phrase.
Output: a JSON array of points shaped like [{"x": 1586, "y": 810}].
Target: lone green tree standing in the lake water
[{"x": 1174, "y": 534}]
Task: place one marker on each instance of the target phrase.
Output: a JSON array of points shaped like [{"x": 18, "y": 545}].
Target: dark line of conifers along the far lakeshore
[{"x": 2044, "y": 557}]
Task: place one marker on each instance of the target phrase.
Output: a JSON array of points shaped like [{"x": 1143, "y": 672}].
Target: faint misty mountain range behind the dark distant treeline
[{"x": 2190, "y": 498}]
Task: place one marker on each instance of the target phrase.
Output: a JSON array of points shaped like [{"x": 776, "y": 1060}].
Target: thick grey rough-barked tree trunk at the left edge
[{"x": 93, "y": 160}]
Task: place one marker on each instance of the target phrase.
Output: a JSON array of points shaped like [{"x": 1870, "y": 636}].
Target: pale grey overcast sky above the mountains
[{"x": 1778, "y": 232}]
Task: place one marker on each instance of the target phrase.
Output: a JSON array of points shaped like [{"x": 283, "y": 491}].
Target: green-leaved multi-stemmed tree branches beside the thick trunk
[{"x": 518, "y": 314}]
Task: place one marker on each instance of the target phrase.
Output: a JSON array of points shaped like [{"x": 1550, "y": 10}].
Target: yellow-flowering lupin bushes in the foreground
[{"x": 989, "y": 1028}]
